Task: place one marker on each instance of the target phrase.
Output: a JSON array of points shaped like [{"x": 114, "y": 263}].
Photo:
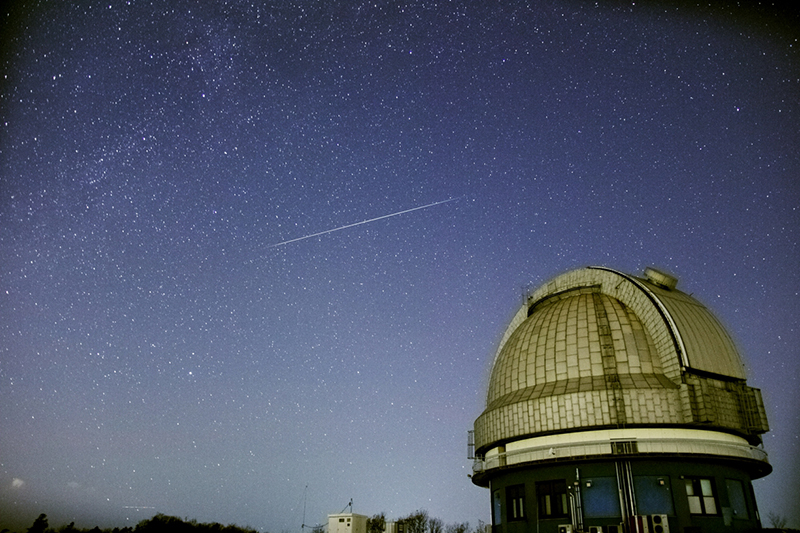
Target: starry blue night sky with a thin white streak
[{"x": 159, "y": 352}]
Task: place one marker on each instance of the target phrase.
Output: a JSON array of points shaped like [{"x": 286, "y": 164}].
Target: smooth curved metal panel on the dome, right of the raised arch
[{"x": 708, "y": 346}]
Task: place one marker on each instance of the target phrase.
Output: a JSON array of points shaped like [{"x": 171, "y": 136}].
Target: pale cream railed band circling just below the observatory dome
[{"x": 627, "y": 447}]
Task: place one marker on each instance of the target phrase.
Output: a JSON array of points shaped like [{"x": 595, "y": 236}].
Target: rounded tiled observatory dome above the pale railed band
[{"x": 595, "y": 349}]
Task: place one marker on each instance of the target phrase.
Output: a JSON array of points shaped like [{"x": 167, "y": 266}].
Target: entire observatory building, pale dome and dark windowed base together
[{"x": 618, "y": 404}]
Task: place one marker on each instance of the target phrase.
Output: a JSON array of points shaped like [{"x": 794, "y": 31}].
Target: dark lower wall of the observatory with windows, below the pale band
[{"x": 628, "y": 495}]
